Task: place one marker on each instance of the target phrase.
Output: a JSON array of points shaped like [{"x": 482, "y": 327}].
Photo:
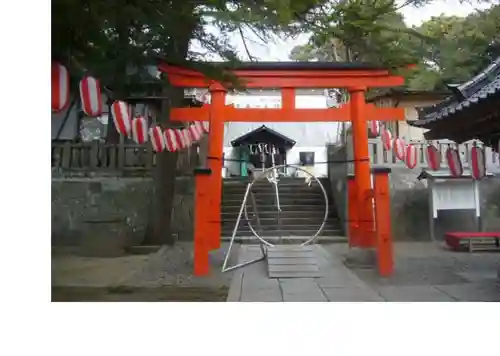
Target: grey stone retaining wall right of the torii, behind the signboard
[{"x": 410, "y": 202}]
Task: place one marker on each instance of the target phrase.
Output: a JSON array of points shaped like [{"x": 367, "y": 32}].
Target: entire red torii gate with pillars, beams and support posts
[{"x": 288, "y": 76}]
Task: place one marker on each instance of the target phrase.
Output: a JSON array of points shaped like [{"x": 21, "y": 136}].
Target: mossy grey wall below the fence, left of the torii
[{"x": 76, "y": 200}]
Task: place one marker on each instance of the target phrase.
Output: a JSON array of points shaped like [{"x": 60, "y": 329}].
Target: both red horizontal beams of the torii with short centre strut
[{"x": 288, "y": 76}]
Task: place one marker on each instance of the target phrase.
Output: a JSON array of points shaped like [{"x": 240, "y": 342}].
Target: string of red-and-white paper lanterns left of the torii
[{"x": 135, "y": 127}]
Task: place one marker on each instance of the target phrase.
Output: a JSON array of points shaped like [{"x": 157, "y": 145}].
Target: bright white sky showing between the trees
[{"x": 280, "y": 50}]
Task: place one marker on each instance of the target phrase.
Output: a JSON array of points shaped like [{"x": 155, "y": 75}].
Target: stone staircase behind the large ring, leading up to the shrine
[{"x": 303, "y": 209}]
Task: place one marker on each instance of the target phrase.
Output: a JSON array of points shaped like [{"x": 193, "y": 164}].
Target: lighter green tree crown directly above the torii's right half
[{"x": 360, "y": 30}]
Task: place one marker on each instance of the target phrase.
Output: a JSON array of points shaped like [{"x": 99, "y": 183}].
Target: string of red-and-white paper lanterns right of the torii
[{"x": 409, "y": 153}]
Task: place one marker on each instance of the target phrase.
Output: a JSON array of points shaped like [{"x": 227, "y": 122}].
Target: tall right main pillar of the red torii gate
[{"x": 362, "y": 166}]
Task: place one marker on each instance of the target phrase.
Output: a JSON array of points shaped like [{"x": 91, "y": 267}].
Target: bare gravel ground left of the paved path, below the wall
[{"x": 163, "y": 275}]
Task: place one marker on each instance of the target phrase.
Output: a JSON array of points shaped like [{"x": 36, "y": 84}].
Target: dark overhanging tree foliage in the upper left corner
[{"x": 106, "y": 37}]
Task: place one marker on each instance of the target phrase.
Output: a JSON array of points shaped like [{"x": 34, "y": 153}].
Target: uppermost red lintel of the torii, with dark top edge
[{"x": 290, "y": 75}]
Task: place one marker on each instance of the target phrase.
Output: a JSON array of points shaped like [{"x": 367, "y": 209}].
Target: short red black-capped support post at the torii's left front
[{"x": 201, "y": 229}]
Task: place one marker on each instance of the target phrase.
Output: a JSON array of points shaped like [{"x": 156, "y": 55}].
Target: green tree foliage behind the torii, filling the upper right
[{"x": 445, "y": 49}]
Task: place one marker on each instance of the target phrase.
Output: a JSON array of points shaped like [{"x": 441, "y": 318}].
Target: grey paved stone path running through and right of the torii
[{"x": 423, "y": 274}]
